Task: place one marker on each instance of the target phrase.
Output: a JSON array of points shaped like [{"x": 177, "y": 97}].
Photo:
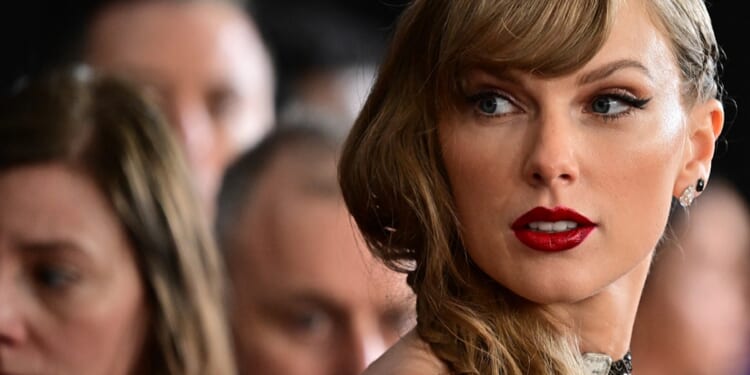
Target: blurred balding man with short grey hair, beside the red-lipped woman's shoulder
[{"x": 308, "y": 298}]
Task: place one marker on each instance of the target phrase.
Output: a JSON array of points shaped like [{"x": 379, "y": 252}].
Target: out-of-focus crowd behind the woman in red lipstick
[{"x": 169, "y": 204}]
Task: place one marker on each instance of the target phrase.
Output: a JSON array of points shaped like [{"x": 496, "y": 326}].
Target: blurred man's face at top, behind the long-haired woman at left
[{"x": 204, "y": 64}]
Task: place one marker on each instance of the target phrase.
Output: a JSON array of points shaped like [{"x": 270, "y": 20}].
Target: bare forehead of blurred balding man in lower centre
[{"x": 313, "y": 243}]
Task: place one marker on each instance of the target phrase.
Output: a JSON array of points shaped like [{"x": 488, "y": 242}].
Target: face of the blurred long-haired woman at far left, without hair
[{"x": 71, "y": 298}]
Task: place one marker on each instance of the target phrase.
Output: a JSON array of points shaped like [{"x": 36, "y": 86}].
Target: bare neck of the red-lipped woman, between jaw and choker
[{"x": 604, "y": 322}]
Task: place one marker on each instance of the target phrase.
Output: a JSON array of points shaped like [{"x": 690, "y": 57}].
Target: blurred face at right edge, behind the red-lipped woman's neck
[{"x": 693, "y": 318}]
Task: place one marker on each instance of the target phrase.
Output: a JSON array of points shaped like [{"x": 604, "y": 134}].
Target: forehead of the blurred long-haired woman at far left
[{"x": 54, "y": 204}]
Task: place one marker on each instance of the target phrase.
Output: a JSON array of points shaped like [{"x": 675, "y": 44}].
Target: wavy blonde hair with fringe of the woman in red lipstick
[{"x": 394, "y": 183}]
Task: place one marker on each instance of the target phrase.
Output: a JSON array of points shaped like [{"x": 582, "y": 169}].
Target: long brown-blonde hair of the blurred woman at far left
[{"x": 103, "y": 127}]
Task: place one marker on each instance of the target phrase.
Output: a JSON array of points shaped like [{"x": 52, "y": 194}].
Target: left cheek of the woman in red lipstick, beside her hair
[{"x": 484, "y": 176}]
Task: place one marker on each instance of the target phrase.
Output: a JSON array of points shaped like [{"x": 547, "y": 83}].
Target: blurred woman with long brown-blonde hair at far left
[{"x": 106, "y": 266}]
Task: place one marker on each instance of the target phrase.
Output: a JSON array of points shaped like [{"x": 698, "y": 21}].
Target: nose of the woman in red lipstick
[{"x": 551, "y": 159}]
